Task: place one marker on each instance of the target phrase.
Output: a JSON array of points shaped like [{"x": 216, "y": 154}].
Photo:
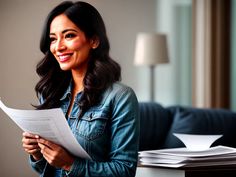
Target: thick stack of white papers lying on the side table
[{"x": 183, "y": 157}]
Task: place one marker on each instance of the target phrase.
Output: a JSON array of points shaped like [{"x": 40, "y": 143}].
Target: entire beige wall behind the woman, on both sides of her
[{"x": 21, "y": 24}]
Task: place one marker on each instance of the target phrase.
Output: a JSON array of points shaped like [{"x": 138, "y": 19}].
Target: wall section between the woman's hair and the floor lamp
[{"x": 124, "y": 19}]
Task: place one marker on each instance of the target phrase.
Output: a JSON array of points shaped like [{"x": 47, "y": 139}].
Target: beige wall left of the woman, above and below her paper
[{"x": 21, "y": 22}]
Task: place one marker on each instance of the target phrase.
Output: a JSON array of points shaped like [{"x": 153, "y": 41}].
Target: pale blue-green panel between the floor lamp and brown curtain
[{"x": 173, "y": 80}]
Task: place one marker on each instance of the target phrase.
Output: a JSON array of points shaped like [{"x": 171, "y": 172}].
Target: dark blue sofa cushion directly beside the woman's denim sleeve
[{"x": 155, "y": 122}]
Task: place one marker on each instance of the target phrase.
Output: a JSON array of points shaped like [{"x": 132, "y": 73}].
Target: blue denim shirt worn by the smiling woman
[{"x": 109, "y": 133}]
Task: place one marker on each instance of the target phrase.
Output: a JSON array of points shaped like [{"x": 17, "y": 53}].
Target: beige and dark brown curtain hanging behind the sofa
[{"x": 211, "y": 53}]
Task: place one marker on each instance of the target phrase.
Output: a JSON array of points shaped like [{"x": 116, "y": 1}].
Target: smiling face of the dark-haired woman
[{"x": 69, "y": 44}]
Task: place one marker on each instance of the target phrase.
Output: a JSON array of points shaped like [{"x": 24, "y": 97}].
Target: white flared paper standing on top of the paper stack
[{"x": 197, "y": 142}]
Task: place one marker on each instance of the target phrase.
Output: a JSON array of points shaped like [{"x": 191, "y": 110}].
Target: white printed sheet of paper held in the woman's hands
[{"x": 50, "y": 124}]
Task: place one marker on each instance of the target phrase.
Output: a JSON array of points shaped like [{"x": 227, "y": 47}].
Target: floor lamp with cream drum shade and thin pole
[{"x": 151, "y": 50}]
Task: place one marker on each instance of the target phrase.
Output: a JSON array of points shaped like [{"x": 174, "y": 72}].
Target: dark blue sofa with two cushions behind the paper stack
[{"x": 158, "y": 124}]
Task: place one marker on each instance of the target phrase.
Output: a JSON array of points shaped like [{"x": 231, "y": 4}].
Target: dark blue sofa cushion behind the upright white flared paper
[{"x": 202, "y": 121}]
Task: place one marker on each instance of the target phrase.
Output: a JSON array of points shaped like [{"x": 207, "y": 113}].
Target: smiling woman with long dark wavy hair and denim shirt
[{"x": 78, "y": 75}]
